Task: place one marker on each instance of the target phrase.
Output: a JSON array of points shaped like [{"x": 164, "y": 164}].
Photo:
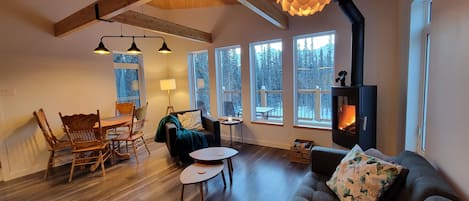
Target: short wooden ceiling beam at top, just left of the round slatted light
[{"x": 267, "y": 10}]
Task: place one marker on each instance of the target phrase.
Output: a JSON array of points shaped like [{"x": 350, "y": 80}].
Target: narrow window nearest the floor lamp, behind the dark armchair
[{"x": 199, "y": 81}]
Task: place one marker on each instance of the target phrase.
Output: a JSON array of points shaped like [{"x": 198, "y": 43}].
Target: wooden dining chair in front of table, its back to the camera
[{"x": 89, "y": 145}]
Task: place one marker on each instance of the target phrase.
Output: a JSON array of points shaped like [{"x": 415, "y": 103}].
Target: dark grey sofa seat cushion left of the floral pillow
[{"x": 313, "y": 187}]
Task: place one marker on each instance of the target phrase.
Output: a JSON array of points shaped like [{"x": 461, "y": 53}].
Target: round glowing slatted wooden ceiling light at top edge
[{"x": 303, "y": 7}]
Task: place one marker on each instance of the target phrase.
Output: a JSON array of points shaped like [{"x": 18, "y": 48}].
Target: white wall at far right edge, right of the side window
[{"x": 447, "y": 134}]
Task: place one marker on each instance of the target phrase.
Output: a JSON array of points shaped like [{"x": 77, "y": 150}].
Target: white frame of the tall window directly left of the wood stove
[{"x": 318, "y": 125}]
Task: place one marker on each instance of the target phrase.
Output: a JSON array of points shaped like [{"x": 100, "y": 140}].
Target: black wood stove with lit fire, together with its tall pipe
[{"x": 354, "y": 107}]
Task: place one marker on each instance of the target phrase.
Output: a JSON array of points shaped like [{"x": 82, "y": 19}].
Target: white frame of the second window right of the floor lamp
[{"x": 219, "y": 87}]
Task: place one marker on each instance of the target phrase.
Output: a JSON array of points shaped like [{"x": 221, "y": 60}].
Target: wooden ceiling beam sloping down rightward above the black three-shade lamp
[{"x": 159, "y": 25}]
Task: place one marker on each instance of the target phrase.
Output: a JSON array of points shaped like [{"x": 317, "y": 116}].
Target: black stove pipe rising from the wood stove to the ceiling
[{"x": 358, "y": 39}]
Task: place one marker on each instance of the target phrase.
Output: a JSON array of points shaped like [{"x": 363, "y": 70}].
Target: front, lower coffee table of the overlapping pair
[{"x": 200, "y": 173}]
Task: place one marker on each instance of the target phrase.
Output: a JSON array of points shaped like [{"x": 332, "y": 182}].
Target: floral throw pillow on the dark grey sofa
[{"x": 361, "y": 177}]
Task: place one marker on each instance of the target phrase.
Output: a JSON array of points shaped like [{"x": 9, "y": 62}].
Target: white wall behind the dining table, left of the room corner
[{"x": 39, "y": 70}]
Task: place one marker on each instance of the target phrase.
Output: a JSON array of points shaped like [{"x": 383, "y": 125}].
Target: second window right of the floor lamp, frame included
[{"x": 228, "y": 61}]
